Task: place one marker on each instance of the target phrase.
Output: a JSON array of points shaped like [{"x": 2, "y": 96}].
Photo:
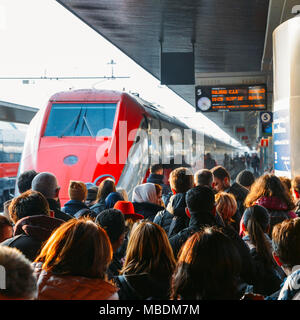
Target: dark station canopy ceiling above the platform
[{"x": 232, "y": 42}]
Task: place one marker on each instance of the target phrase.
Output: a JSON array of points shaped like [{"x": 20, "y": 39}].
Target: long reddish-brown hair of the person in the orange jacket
[{"x": 79, "y": 248}]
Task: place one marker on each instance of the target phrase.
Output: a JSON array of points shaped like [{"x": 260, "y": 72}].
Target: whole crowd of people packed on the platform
[{"x": 203, "y": 236}]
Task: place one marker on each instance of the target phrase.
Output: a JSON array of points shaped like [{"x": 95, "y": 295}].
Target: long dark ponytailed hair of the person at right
[{"x": 257, "y": 222}]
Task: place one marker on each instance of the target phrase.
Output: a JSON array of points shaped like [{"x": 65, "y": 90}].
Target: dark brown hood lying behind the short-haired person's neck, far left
[{"x": 38, "y": 227}]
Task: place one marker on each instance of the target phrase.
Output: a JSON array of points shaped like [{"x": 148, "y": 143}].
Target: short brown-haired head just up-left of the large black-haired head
[{"x": 181, "y": 180}]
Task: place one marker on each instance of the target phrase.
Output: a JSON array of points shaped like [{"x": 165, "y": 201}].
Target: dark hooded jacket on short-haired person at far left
[{"x": 31, "y": 232}]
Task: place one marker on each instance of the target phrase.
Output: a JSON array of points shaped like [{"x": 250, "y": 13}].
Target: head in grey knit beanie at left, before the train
[{"x": 46, "y": 184}]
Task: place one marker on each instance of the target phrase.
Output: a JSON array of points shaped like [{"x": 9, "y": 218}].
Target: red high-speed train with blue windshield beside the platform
[{"x": 89, "y": 134}]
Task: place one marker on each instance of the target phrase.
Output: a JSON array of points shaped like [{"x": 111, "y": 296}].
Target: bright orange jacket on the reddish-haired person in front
[{"x": 67, "y": 287}]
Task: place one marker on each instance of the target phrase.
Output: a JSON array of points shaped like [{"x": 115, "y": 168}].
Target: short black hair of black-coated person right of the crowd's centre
[{"x": 200, "y": 198}]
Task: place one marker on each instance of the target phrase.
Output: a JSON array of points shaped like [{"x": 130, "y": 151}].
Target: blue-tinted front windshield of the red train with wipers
[{"x": 92, "y": 119}]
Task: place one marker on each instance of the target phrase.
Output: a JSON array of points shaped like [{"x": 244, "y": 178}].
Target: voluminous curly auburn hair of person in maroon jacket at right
[{"x": 269, "y": 185}]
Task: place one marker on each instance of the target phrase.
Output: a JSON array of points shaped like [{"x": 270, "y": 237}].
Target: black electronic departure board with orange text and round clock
[{"x": 231, "y": 98}]
